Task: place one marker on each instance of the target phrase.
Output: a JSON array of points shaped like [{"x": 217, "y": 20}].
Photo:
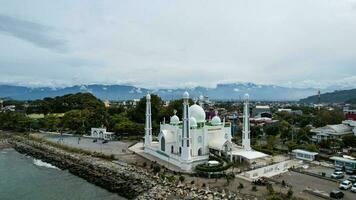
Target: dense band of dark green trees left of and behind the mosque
[{"x": 78, "y": 113}]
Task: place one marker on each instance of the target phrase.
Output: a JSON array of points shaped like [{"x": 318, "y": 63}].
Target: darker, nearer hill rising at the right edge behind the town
[{"x": 340, "y": 96}]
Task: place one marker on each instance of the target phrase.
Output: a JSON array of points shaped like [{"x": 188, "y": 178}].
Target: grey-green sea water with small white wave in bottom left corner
[{"x": 25, "y": 178}]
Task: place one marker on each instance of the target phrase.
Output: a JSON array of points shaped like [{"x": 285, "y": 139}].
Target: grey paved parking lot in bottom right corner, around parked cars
[{"x": 300, "y": 182}]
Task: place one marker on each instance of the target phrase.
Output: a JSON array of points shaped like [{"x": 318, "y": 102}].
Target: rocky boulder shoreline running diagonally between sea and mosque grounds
[{"x": 127, "y": 181}]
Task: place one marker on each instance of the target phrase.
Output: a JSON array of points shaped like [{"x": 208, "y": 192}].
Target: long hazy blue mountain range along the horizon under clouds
[{"x": 123, "y": 92}]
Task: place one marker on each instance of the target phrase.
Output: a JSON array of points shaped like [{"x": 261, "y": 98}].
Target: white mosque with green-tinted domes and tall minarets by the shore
[{"x": 188, "y": 142}]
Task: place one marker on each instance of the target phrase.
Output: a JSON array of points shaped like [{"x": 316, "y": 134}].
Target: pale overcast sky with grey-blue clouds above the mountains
[{"x": 182, "y": 43}]
